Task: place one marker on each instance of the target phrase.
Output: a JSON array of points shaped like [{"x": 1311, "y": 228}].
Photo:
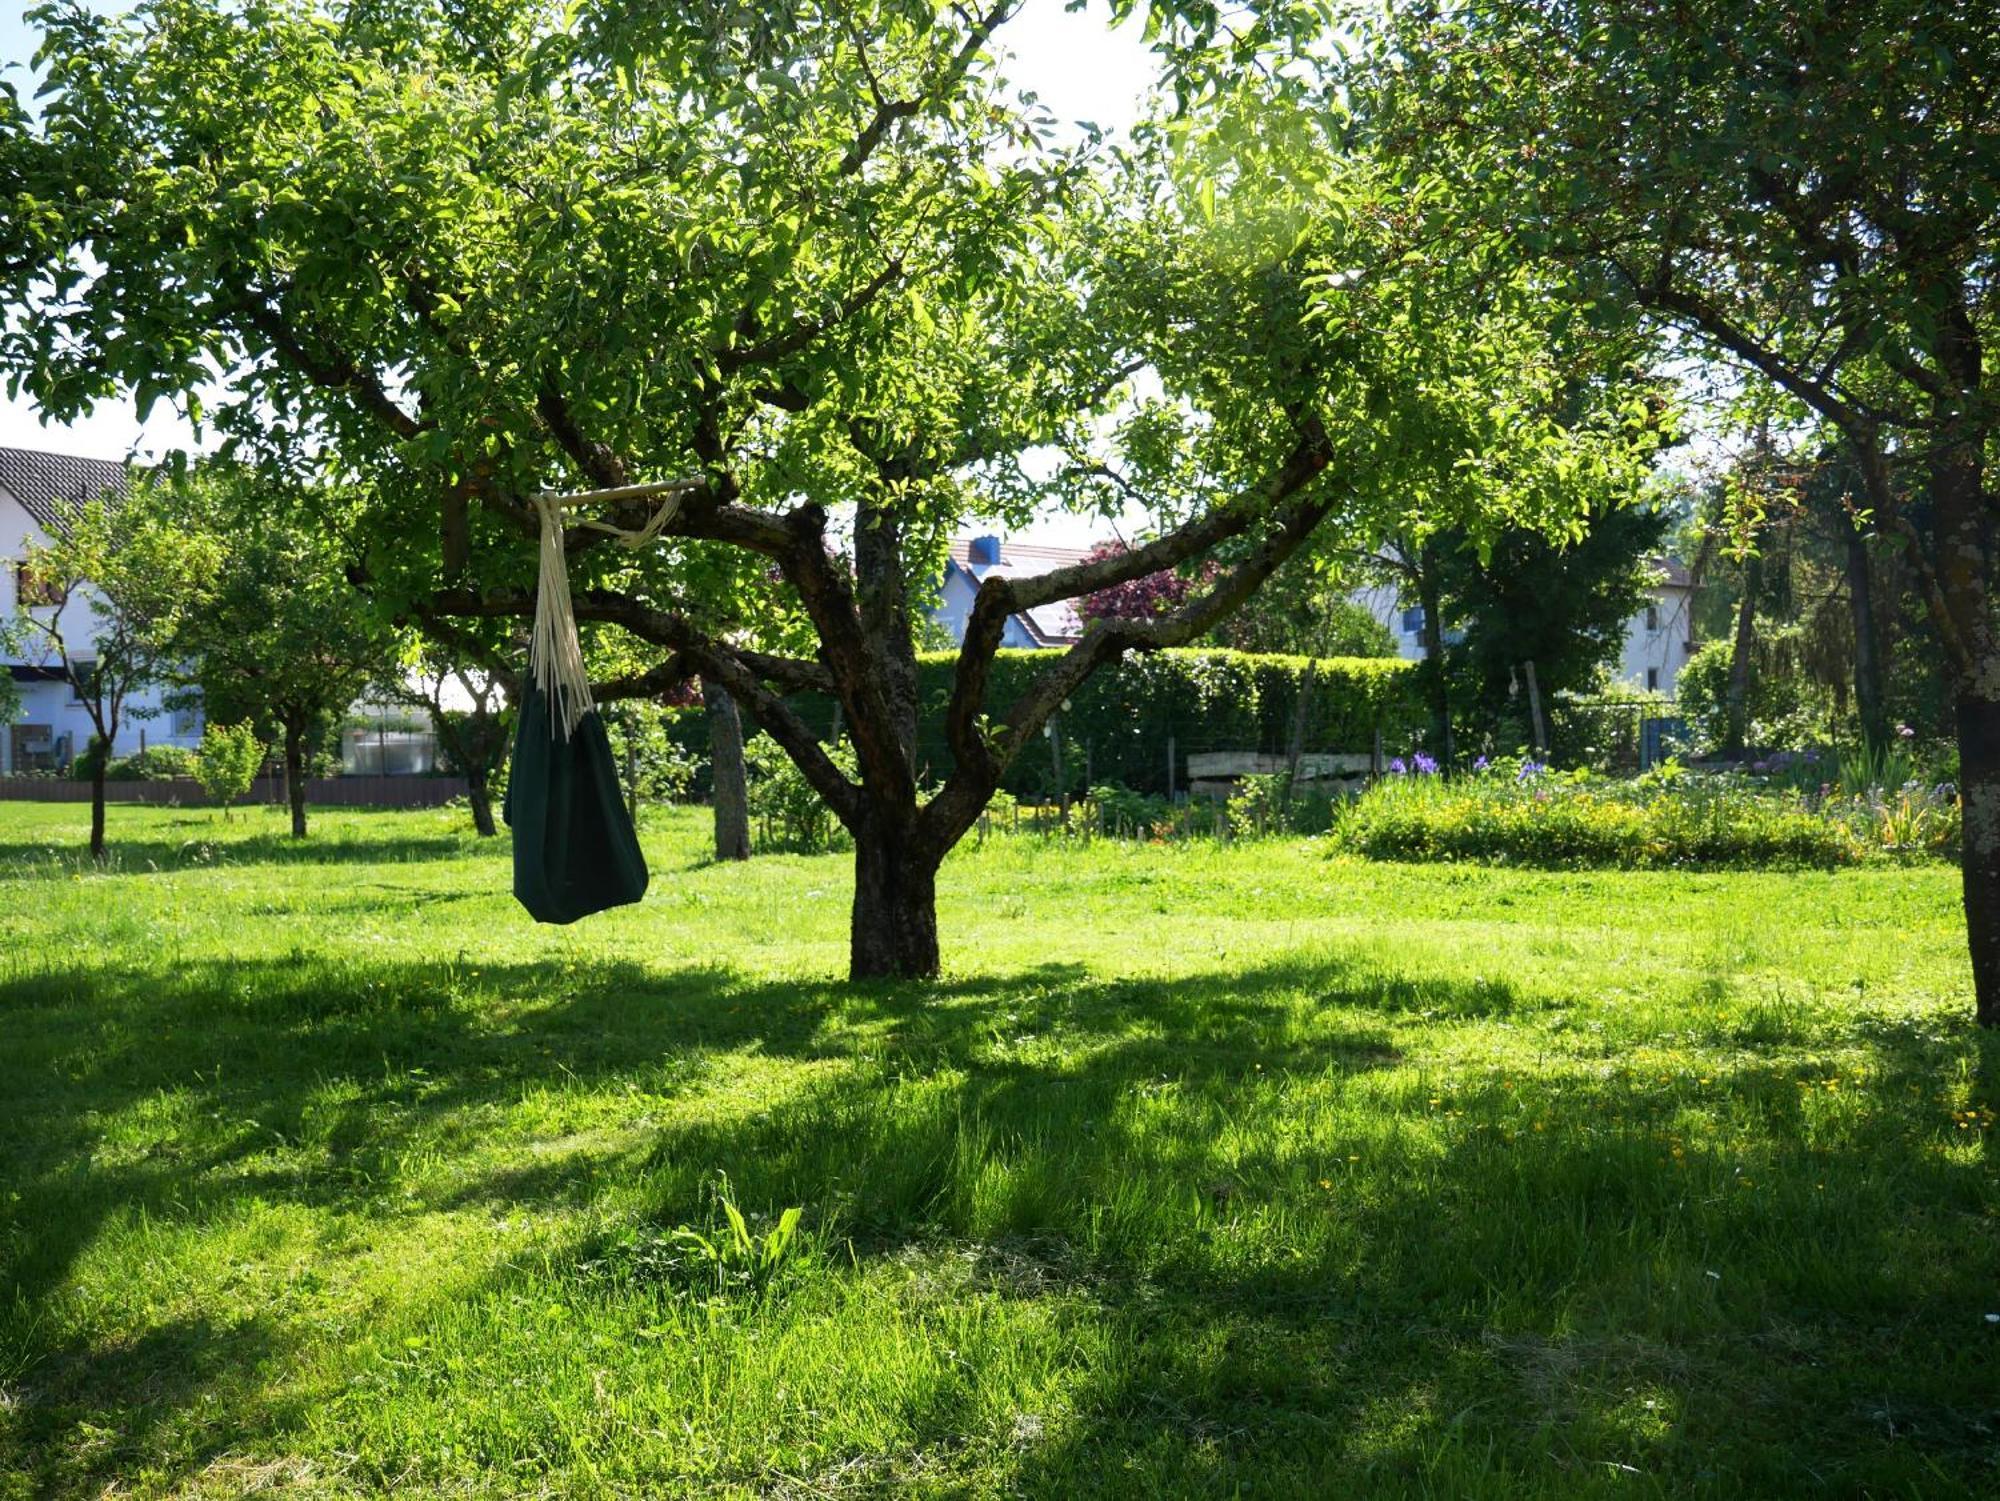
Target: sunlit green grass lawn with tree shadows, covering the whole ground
[{"x": 1207, "y": 1172}]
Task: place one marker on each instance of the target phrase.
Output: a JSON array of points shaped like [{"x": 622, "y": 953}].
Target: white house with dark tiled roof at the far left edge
[{"x": 35, "y": 493}]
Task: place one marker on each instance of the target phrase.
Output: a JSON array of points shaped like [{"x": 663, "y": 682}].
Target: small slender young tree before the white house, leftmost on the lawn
[{"x": 123, "y": 579}]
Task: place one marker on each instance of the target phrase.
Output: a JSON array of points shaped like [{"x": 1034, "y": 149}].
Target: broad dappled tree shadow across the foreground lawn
[{"x": 1501, "y": 1278}]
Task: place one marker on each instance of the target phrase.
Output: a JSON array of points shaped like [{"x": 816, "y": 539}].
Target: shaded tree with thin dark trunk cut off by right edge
[{"x": 1809, "y": 193}]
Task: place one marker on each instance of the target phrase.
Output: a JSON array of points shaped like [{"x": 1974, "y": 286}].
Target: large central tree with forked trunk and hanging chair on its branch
[{"x": 797, "y": 333}]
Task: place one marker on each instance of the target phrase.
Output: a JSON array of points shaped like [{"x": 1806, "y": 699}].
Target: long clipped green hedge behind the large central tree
[{"x": 1119, "y": 725}]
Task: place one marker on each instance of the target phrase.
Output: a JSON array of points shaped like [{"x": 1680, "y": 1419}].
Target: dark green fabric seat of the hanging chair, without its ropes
[{"x": 575, "y": 850}]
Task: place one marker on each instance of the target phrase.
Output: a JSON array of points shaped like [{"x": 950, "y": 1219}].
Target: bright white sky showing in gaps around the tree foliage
[{"x": 1077, "y": 63}]
